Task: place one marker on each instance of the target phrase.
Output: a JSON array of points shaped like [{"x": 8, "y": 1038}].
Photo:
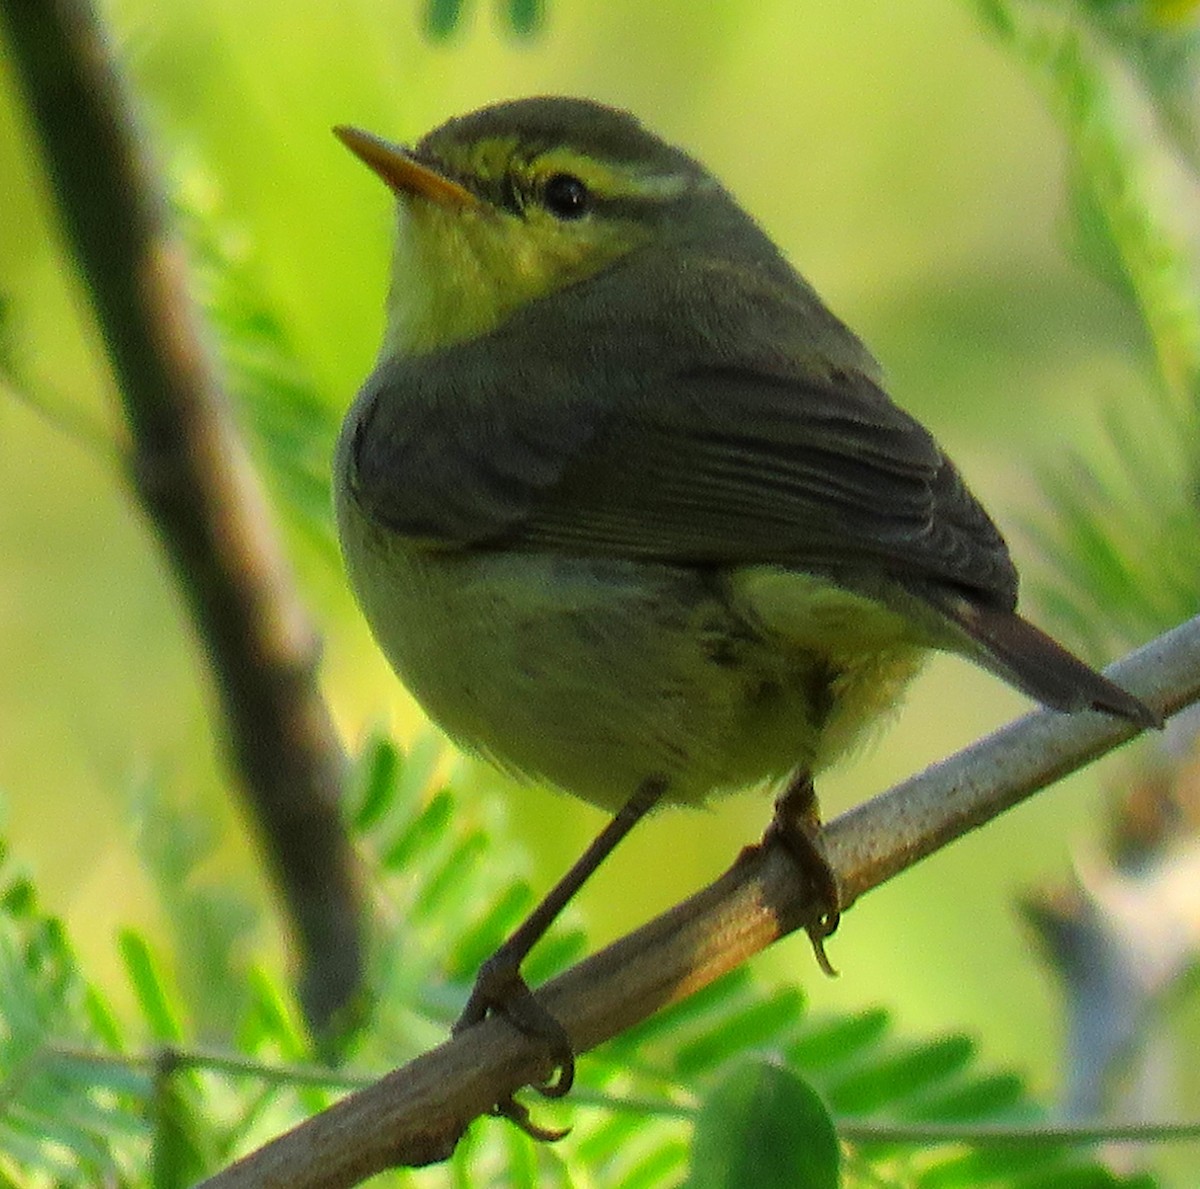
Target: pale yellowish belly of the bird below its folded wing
[{"x": 597, "y": 675}]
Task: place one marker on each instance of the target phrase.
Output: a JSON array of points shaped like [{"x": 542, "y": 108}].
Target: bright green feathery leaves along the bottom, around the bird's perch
[{"x": 699, "y": 1095}]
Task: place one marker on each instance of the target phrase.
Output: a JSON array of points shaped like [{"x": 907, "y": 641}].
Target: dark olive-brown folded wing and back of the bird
[{"x": 633, "y": 434}]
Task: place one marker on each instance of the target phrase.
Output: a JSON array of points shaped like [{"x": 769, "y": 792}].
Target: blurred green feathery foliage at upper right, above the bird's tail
[{"x": 1124, "y": 531}]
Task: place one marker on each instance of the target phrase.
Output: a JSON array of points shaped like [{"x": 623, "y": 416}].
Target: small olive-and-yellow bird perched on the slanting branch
[{"x": 627, "y": 507}]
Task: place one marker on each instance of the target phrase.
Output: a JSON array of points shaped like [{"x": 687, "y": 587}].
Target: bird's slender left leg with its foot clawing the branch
[{"x": 500, "y": 986}]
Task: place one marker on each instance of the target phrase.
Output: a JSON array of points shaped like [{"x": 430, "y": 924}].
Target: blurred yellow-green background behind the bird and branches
[{"x": 913, "y": 169}]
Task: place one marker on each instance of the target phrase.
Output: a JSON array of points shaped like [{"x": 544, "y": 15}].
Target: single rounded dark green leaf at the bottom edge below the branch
[{"x": 764, "y": 1127}]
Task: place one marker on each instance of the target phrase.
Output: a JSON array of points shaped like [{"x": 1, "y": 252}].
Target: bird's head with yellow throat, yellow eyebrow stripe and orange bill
[{"x": 519, "y": 201}]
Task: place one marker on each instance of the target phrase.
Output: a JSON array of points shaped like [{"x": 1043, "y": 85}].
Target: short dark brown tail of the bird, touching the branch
[{"x": 1034, "y": 662}]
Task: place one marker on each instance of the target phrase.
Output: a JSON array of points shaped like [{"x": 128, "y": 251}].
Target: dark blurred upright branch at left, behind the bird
[{"x": 191, "y": 477}]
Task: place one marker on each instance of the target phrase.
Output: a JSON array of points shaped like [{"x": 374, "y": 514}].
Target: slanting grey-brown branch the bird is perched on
[{"x": 417, "y": 1115}]
